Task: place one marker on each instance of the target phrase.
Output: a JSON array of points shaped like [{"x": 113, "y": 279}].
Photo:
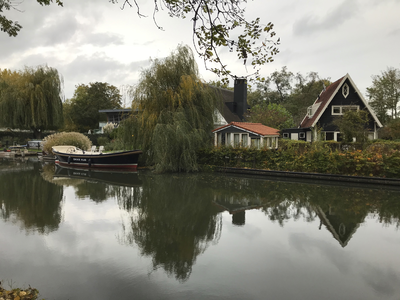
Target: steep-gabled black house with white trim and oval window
[{"x": 333, "y": 101}]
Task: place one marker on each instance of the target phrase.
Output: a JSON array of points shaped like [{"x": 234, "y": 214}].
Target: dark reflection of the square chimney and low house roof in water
[{"x": 236, "y": 207}]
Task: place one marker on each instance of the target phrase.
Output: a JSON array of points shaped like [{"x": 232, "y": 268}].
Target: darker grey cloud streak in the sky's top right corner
[{"x": 311, "y": 23}]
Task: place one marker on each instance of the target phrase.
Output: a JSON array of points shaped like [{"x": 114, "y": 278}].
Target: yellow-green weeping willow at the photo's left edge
[{"x": 31, "y": 99}]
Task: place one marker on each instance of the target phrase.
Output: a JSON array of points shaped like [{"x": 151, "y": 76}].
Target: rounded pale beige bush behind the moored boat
[{"x": 66, "y": 138}]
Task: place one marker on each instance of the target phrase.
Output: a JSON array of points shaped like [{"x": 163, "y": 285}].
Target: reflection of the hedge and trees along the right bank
[{"x": 284, "y": 200}]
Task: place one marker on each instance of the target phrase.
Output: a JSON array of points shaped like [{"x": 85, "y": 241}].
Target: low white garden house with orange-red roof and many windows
[{"x": 246, "y": 135}]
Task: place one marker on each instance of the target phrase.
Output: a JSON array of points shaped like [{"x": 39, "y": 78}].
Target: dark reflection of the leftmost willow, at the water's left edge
[{"x": 30, "y": 199}]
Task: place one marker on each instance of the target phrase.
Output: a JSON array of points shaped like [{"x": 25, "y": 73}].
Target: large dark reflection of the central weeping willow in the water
[{"x": 173, "y": 221}]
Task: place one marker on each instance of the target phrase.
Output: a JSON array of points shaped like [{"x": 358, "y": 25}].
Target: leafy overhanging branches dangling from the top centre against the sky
[{"x": 221, "y": 25}]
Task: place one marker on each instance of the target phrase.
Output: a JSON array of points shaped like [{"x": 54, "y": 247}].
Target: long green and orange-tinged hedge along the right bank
[{"x": 378, "y": 159}]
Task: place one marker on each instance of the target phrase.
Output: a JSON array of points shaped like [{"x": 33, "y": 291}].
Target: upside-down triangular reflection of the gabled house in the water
[{"x": 341, "y": 225}]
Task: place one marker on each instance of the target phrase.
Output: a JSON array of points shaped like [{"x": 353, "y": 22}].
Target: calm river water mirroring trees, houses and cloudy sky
[{"x": 75, "y": 234}]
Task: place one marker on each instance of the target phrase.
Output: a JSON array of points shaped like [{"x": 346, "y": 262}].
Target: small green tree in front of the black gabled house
[{"x": 353, "y": 124}]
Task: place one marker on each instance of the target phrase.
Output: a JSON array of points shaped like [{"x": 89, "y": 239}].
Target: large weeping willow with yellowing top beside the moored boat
[{"x": 175, "y": 113}]
